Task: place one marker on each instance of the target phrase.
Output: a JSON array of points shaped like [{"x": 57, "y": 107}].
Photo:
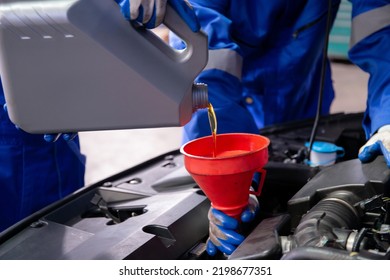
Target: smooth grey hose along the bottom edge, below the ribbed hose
[{"x": 316, "y": 253}]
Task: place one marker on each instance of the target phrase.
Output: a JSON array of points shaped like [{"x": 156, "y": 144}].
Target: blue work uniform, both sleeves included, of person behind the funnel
[{"x": 265, "y": 58}]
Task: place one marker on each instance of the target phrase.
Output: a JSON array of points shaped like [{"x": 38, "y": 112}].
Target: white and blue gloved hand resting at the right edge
[{"x": 378, "y": 144}]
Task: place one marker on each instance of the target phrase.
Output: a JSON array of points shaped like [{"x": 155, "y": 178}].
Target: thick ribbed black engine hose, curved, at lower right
[{"x": 316, "y": 227}]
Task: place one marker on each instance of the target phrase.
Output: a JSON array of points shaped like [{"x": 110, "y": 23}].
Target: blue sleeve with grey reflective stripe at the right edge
[{"x": 370, "y": 50}]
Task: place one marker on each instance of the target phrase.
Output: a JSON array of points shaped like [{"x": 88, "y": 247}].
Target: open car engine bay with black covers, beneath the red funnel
[{"x": 156, "y": 211}]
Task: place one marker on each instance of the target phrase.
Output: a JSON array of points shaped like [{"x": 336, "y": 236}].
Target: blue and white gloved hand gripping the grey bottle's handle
[{"x": 151, "y": 12}]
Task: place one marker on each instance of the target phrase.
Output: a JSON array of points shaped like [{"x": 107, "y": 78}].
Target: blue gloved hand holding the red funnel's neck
[{"x": 222, "y": 229}]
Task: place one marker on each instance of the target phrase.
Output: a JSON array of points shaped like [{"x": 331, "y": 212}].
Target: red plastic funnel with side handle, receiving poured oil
[{"x": 226, "y": 178}]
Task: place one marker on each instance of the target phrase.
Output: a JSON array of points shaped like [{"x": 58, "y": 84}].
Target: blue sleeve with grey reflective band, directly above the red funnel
[{"x": 222, "y": 74}]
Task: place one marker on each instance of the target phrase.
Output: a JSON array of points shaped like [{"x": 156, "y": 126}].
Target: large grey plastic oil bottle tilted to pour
[{"x": 78, "y": 65}]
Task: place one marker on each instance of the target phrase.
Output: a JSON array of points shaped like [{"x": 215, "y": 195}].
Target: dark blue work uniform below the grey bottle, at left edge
[{"x": 34, "y": 173}]
